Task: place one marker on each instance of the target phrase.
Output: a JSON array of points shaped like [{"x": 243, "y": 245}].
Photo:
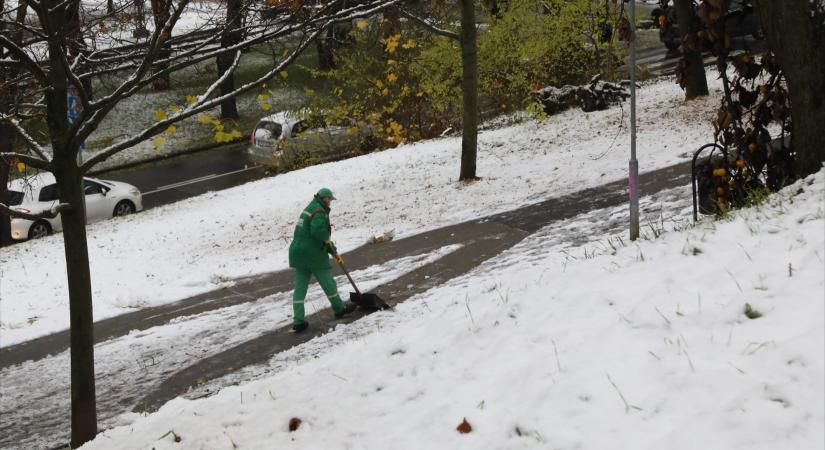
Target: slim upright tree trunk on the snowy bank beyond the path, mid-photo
[{"x": 469, "y": 87}]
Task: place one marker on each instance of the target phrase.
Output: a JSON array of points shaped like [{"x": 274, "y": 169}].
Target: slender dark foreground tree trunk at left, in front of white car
[{"x": 81, "y": 347}]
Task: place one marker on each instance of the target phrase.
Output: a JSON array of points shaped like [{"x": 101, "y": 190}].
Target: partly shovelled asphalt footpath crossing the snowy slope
[{"x": 32, "y": 419}]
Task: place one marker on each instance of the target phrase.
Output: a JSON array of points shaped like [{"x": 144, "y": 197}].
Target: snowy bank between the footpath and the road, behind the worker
[{"x": 189, "y": 247}]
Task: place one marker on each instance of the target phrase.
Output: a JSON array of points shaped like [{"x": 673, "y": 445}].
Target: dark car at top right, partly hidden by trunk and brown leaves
[{"x": 739, "y": 22}]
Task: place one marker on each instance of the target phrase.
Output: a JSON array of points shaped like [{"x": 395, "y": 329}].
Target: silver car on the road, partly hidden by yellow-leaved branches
[{"x": 287, "y": 139}]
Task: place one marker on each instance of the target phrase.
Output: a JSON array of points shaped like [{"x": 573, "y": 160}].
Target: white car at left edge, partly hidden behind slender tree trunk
[{"x": 38, "y": 193}]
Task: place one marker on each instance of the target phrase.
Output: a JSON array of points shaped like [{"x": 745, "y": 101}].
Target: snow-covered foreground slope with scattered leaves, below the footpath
[{"x": 646, "y": 346}]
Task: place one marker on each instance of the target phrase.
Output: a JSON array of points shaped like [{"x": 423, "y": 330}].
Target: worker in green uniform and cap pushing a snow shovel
[{"x": 308, "y": 255}]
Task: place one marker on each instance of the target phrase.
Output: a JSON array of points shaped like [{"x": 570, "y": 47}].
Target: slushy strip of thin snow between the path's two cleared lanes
[{"x": 35, "y": 394}]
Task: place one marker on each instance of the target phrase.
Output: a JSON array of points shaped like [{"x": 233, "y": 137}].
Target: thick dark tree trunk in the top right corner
[{"x": 795, "y": 33}]
